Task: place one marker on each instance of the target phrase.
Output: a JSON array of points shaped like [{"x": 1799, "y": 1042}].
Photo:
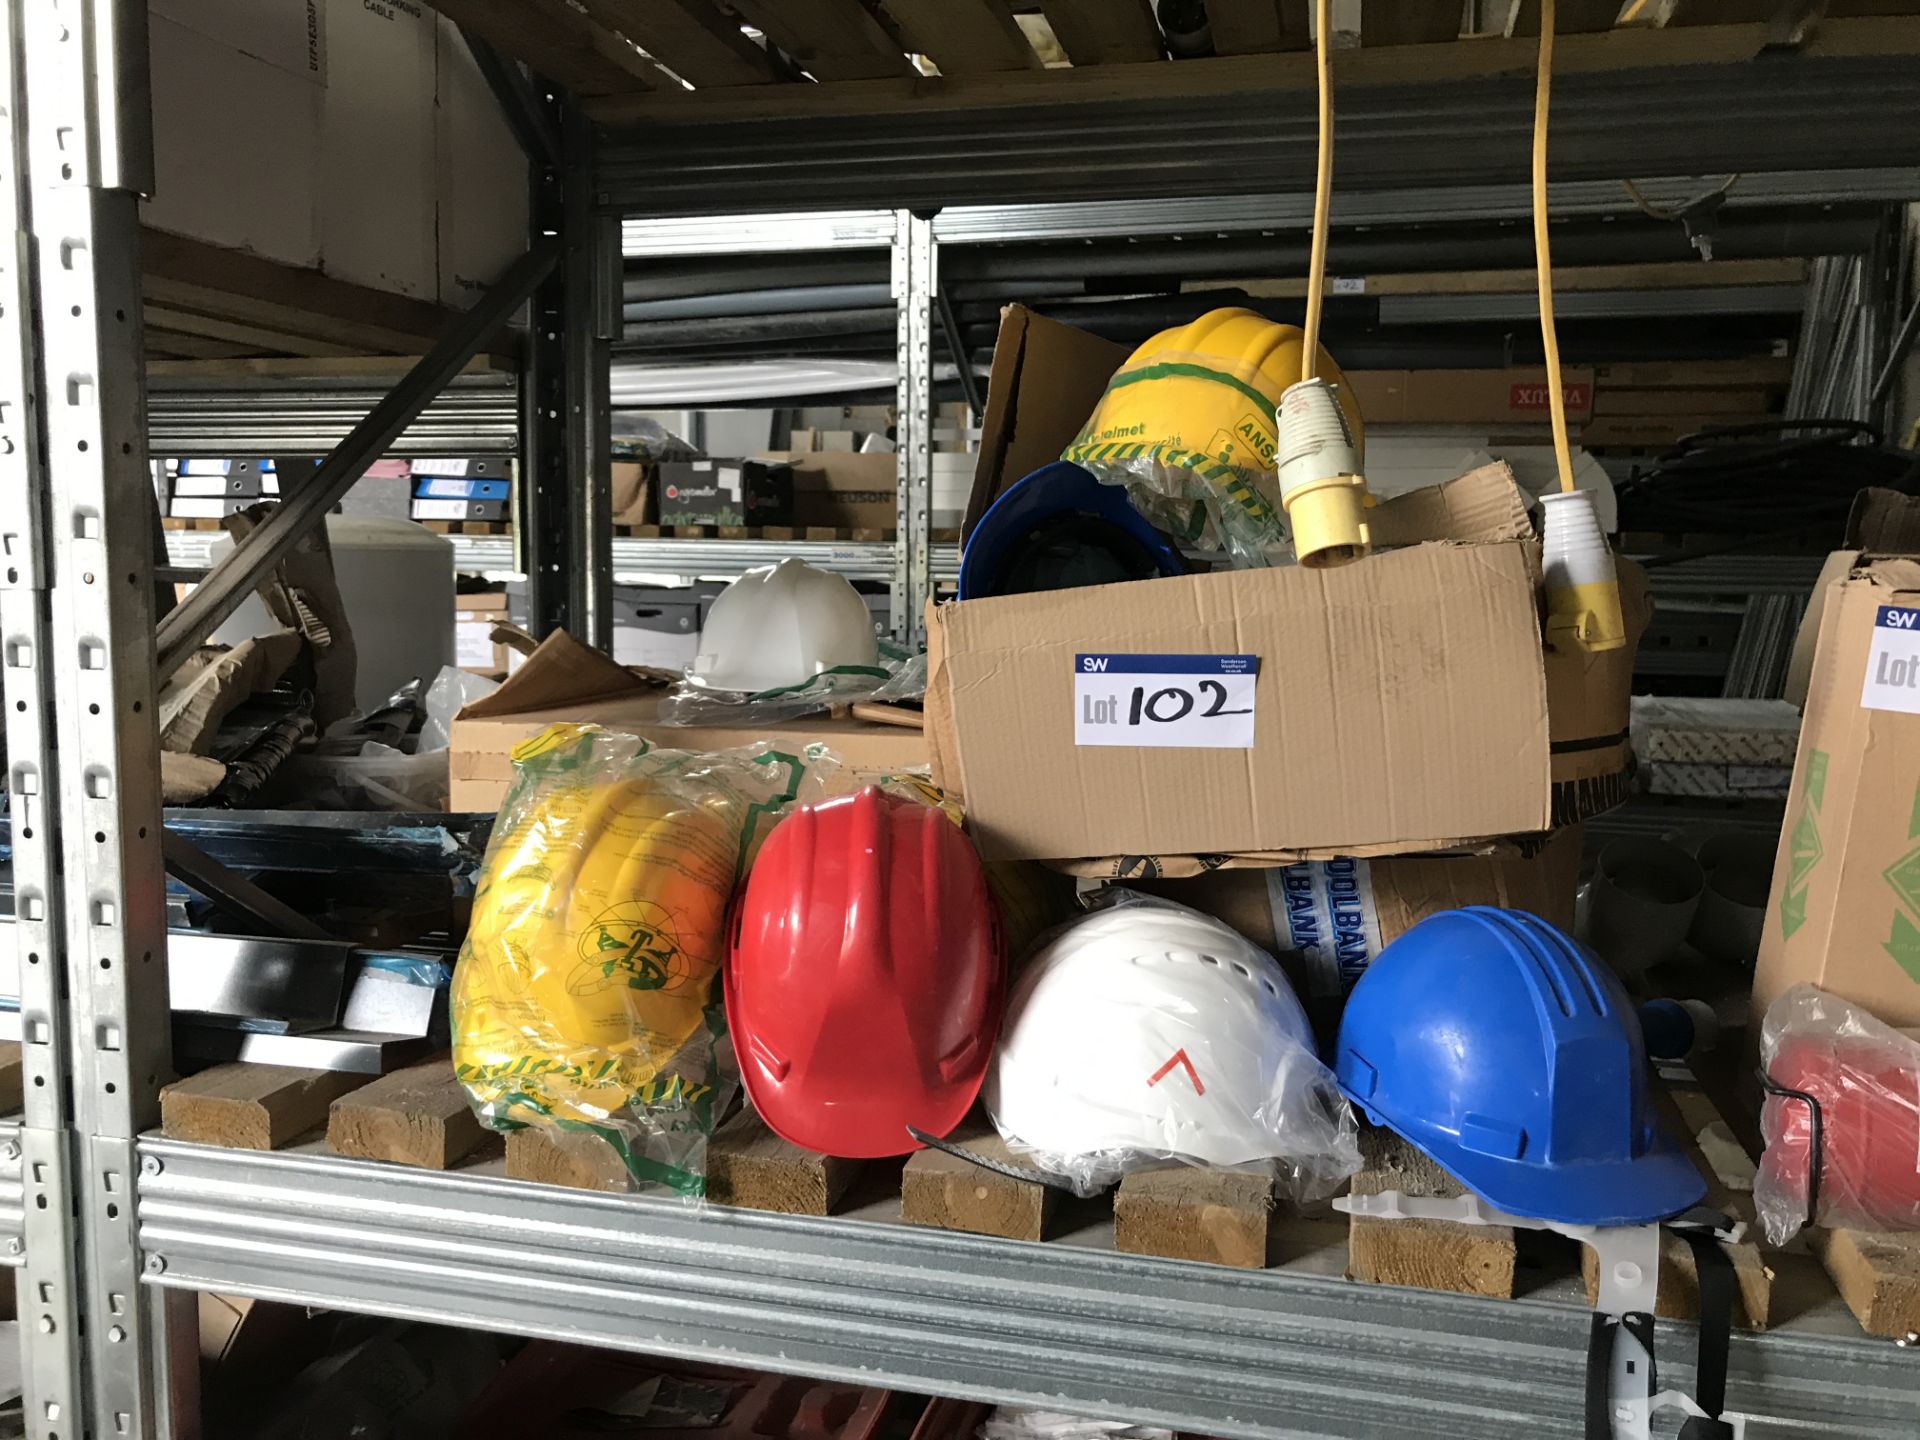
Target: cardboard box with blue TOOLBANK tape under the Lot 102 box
[{"x": 1326, "y": 921}]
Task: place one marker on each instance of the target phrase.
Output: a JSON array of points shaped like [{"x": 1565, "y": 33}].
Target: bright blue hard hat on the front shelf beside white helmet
[{"x": 1512, "y": 1057}]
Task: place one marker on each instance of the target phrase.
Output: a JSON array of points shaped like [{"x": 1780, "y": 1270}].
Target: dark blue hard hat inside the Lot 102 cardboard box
[{"x": 1063, "y": 529}]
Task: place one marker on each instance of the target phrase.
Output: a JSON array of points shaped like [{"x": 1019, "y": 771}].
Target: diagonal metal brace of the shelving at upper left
[{"x": 237, "y": 575}]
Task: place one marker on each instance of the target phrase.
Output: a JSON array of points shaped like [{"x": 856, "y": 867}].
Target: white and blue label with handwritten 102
[{"x": 1176, "y": 702}]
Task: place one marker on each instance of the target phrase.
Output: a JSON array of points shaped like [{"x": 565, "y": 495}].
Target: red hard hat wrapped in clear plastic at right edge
[{"x": 1869, "y": 1128}]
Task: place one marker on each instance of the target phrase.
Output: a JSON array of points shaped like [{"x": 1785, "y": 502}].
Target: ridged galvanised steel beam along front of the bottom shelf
[{"x": 1068, "y": 1324}]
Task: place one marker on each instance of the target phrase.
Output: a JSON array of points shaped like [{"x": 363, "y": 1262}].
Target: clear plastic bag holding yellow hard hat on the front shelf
[{"x": 585, "y": 996}]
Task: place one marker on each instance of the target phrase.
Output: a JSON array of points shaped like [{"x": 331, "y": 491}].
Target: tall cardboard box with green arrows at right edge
[{"x": 1844, "y": 911}]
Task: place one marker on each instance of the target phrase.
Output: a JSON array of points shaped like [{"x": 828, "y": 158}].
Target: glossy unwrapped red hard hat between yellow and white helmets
[{"x": 867, "y": 976}]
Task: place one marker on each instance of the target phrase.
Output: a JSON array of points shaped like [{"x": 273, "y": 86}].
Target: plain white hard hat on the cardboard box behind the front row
[{"x": 782, "y": 627}]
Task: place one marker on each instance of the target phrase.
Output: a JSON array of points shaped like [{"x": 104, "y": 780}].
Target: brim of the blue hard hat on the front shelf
[{"x": 1633, "y": 1191}]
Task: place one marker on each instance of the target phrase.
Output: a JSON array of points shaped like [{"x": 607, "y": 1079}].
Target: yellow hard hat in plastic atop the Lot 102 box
[{"x": 1188, "y": 427}]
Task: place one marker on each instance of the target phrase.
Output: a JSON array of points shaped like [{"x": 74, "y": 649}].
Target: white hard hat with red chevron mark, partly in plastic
[{"x": 1153, "y": 1030}]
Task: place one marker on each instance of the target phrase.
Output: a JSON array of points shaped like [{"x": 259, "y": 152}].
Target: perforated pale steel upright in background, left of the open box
[{"x": 915, "y": 289}]
